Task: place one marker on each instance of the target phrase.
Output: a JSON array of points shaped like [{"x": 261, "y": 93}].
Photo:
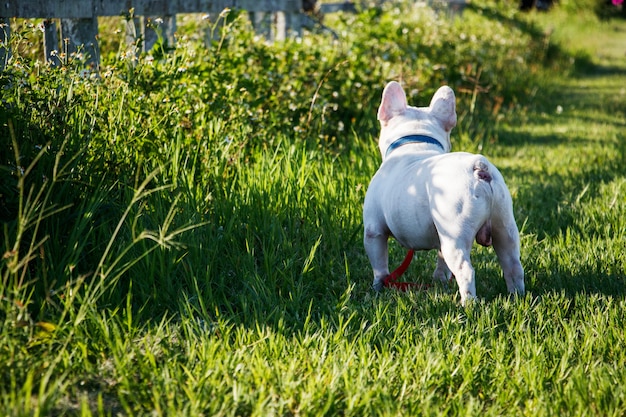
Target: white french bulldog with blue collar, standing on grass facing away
[{"x": 428, "y": 198}]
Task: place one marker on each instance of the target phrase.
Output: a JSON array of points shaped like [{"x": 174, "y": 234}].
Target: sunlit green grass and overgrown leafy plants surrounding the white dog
[{"x": 182, "y": 234}]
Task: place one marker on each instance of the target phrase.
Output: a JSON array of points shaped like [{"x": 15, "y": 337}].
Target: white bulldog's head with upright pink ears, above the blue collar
[{"x": 398, "y": 119}]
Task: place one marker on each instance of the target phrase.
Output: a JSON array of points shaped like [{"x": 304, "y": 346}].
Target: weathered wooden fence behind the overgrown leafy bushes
[{"x": 79, "y": 23}]
